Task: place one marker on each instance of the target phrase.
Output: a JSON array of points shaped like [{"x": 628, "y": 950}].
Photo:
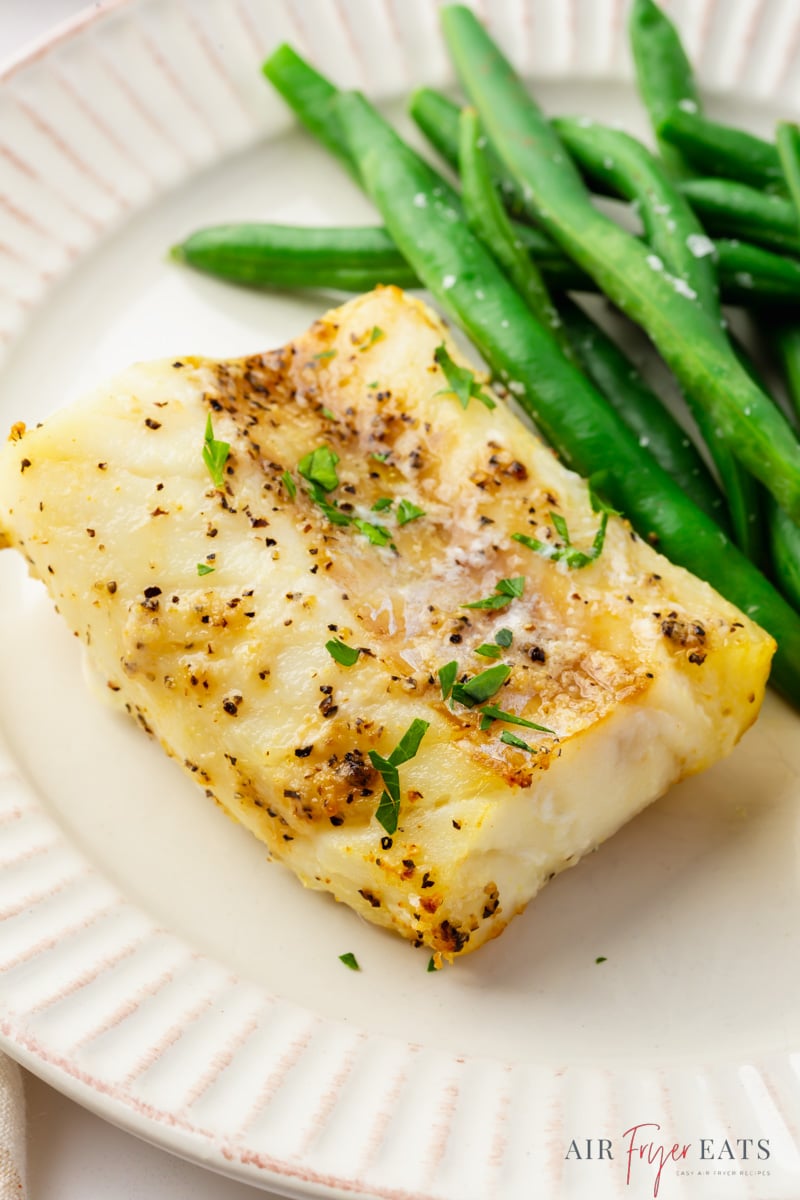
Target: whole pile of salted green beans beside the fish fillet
[{"x": 720, "y": 214}]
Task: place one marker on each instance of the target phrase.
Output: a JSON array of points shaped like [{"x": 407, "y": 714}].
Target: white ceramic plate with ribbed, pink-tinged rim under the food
[{"x": 153, "y": 965}]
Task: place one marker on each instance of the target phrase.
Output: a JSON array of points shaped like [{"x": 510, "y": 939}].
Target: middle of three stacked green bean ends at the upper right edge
[{"x": 741, "y": 212}]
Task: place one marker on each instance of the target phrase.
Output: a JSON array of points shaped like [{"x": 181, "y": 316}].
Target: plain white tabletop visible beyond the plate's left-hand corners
[{"x": 73, "y": 1155}]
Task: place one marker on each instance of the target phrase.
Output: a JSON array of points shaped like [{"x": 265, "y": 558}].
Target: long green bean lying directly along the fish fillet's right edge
[{"x": 572, "y": 413}]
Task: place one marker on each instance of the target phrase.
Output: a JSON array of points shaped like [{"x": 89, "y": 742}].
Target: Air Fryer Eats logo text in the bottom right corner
[{"x": 646, "y": 1155}]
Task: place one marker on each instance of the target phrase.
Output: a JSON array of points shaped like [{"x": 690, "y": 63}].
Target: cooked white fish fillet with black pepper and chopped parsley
[{"x": 213, "y": 614}]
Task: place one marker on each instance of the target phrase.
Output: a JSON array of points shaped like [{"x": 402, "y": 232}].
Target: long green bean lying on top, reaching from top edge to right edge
[{"x": 691, "y": 343}]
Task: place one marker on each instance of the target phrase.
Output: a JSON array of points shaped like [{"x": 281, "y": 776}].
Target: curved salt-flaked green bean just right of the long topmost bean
[{"x": 630, "y": 171}]
